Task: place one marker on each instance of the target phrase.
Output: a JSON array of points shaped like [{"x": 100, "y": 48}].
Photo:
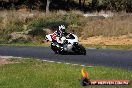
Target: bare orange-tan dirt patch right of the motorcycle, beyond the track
[{"x": 99, "y": 40}]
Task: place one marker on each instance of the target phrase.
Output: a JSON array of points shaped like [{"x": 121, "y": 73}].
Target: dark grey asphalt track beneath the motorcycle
[{"x": 101, "y": 57}]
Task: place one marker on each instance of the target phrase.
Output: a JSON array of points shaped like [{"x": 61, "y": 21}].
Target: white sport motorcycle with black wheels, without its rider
[{"x": 70, "y": 44}]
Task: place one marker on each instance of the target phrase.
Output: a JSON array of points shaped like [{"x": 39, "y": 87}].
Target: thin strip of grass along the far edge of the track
[{"x": 117, "y": 47}]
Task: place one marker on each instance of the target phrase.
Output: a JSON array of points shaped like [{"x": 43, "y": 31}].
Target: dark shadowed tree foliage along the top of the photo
[{"x": 88, "y": 5}]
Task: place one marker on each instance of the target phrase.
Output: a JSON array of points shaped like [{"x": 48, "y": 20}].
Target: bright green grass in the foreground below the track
[{"x": 31, "y": 73}]
